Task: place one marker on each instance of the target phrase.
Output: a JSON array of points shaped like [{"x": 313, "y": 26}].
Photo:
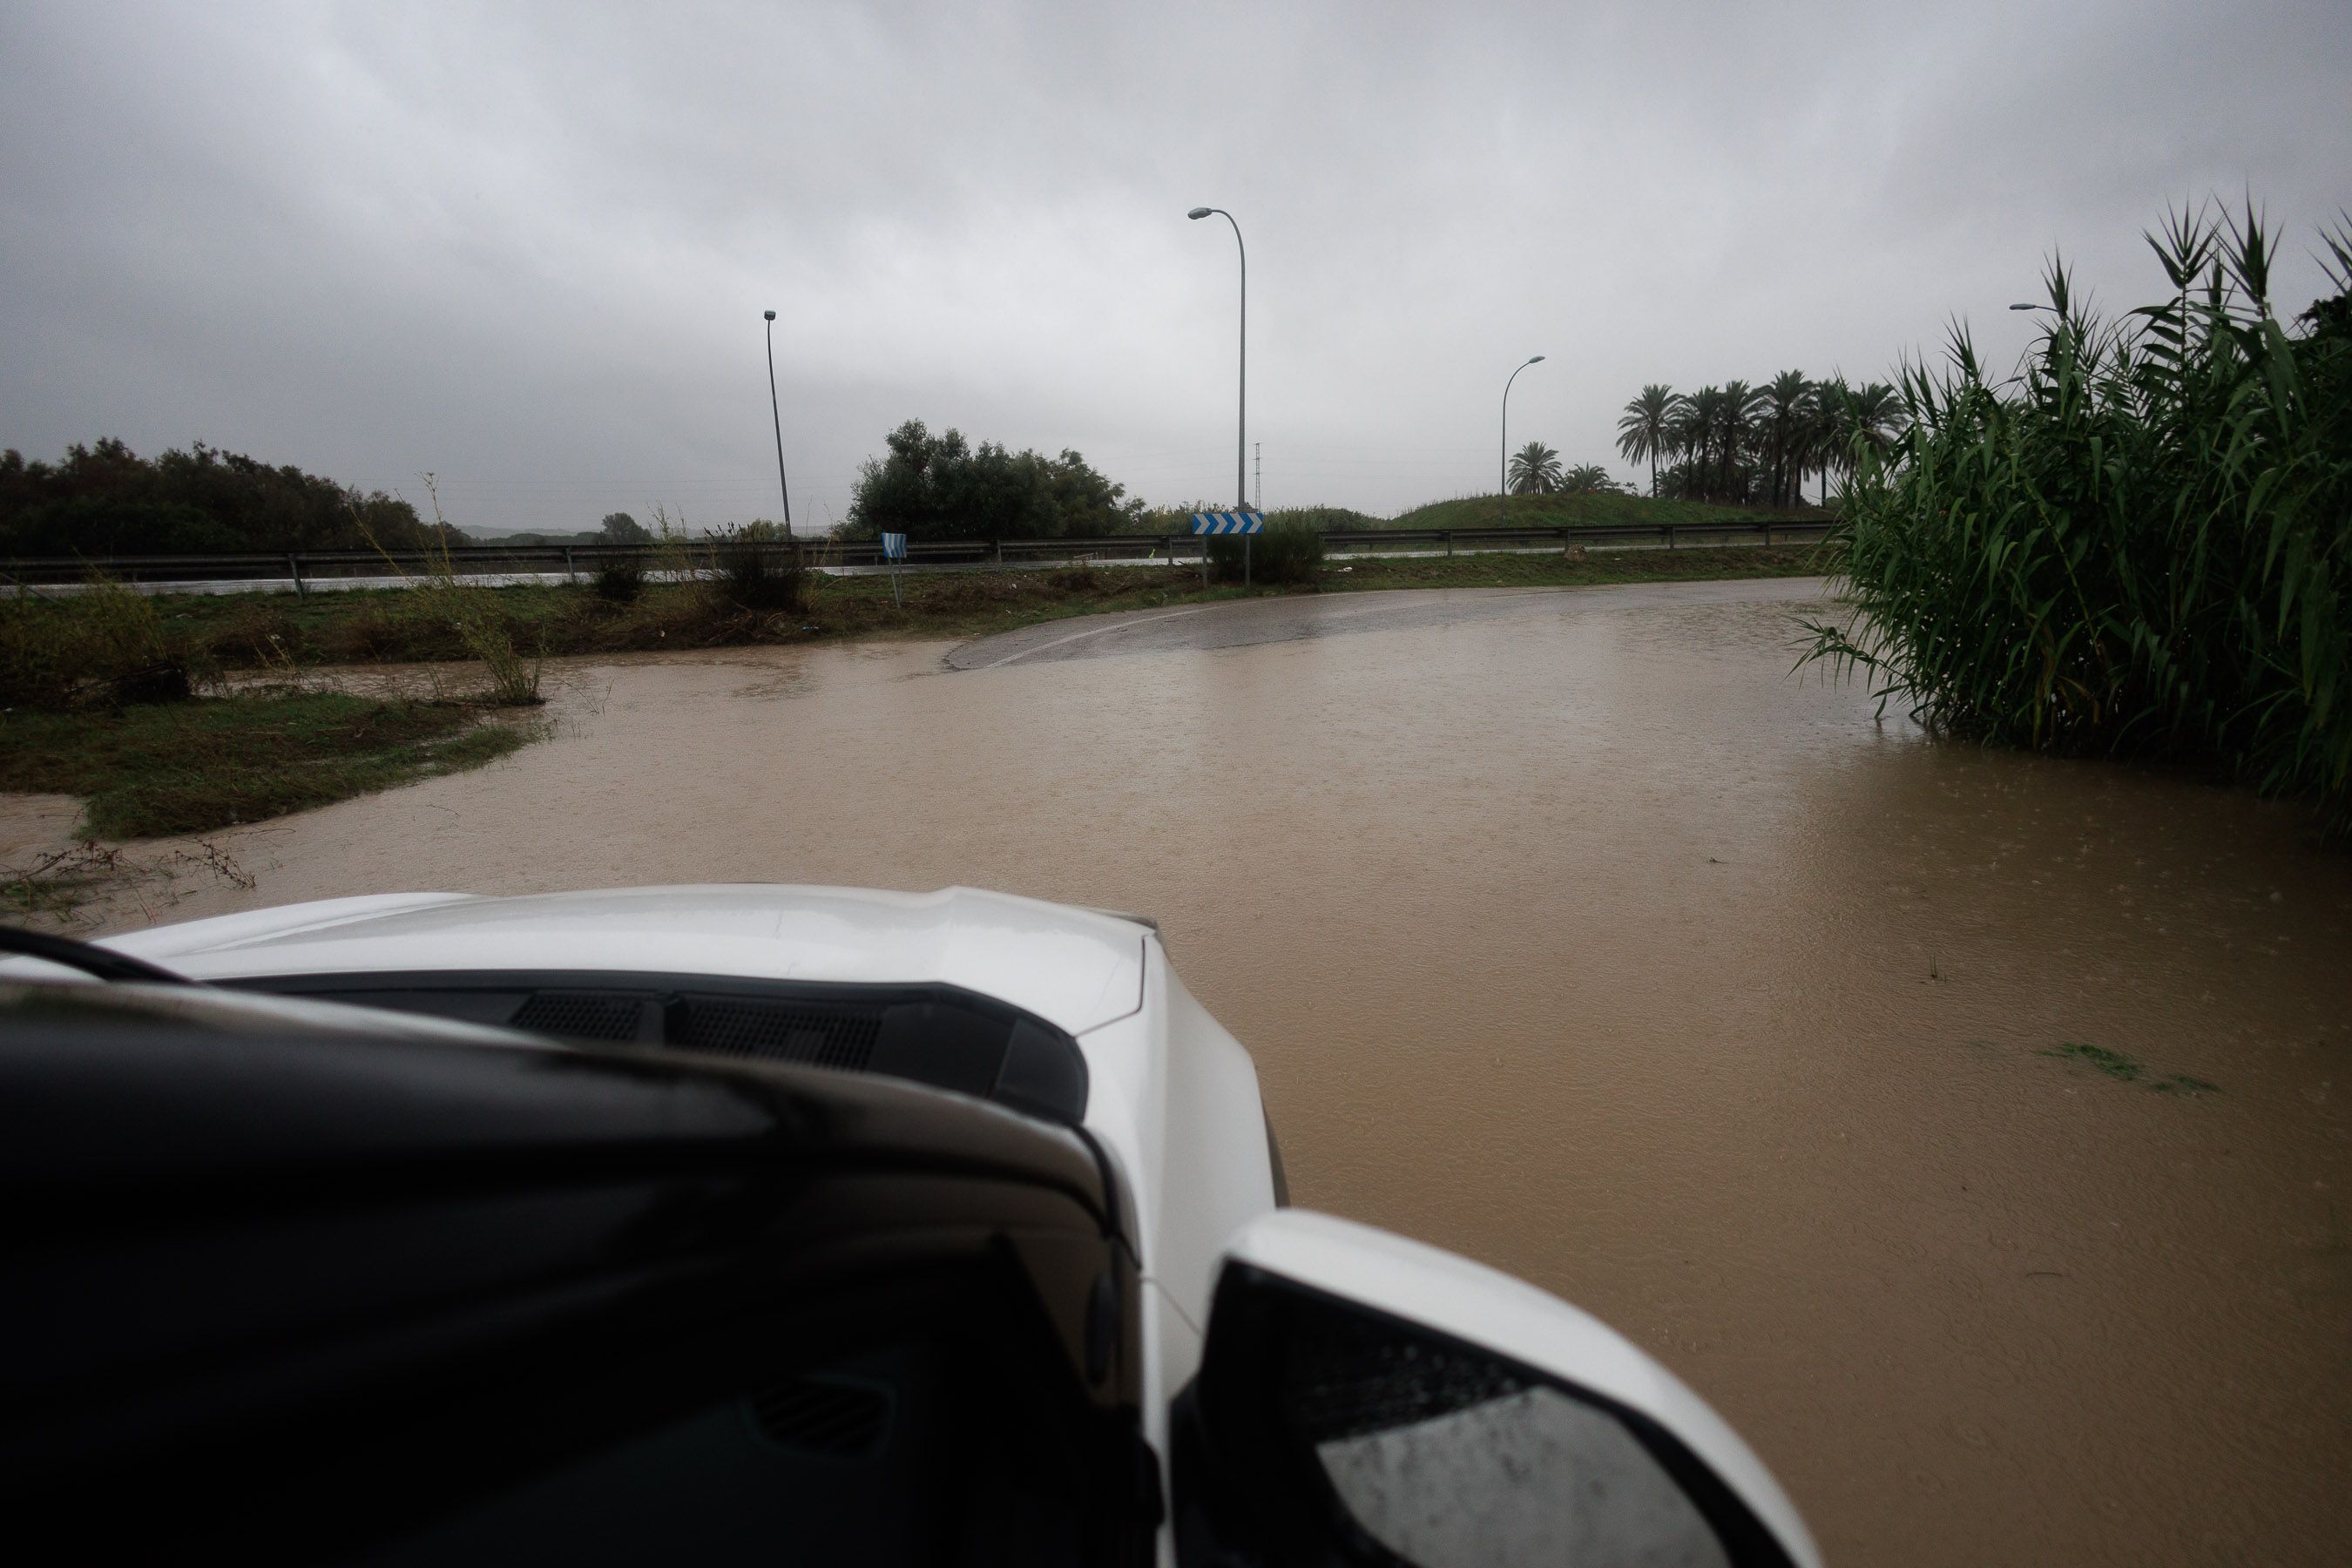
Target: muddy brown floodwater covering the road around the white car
[{"x": 1575, "y": 934}]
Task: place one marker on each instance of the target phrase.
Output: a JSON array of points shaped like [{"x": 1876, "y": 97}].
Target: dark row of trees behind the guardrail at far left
[{"x": 105, "y": 500}]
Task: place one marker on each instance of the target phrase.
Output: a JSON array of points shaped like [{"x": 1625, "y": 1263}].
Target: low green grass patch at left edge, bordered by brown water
[{"x": 192, "y": 768}]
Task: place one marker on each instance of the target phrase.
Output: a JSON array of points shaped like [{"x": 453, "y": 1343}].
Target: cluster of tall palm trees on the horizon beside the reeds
[{"x": 1756, "y": 443}]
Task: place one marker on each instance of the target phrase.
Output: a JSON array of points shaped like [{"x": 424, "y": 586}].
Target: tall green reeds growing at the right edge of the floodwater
[{"x": 2137, "y": 554}]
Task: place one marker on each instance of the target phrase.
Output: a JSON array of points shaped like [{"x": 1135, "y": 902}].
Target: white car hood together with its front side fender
[{"x": 1172, "y": 1097}]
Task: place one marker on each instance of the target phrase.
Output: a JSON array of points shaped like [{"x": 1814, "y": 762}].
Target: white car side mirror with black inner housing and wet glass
[{"x": 1370, "y": 1400}]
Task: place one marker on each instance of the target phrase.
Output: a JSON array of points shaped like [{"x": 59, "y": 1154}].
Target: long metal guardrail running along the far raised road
[{"x": 573, "y": 561}]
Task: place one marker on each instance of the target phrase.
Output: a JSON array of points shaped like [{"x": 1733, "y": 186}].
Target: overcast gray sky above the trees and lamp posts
[{"x": 528, "y": 246}]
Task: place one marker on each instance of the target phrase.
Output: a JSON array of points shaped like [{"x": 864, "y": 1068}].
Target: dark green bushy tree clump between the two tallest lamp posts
[{"x": 947, "y": 488}]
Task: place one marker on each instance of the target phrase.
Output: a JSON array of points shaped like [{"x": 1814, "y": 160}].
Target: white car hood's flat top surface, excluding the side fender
[{"x": 1071, "y": 967}]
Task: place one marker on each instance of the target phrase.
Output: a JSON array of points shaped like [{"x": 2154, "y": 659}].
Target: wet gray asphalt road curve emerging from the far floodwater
[{"x": 1299, "y": 617}]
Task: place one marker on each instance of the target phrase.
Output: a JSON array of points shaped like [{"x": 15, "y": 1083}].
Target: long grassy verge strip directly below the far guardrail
[{"x": 394, "y": 626}]
